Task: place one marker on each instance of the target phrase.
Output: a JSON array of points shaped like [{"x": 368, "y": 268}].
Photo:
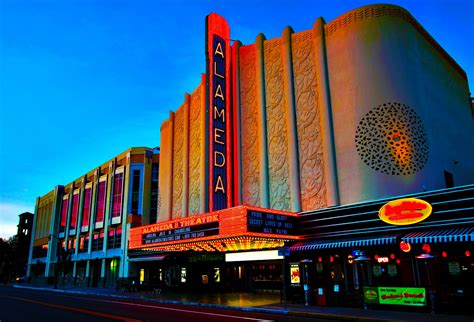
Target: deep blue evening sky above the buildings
[{"x": 82, "y": 81}]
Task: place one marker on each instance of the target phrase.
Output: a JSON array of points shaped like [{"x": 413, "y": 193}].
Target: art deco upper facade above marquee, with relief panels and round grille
[{"x": 364, "y": 107}]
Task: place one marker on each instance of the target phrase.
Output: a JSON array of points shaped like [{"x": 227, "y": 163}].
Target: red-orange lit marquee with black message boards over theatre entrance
[{"x": 246, "y": 227}]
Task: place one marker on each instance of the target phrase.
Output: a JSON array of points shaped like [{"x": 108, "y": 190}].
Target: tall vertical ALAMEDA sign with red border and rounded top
[{"x": 219, "y": 112}]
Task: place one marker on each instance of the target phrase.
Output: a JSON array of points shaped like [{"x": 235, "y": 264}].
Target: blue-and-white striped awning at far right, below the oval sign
[{"x": 441, "y": 236}]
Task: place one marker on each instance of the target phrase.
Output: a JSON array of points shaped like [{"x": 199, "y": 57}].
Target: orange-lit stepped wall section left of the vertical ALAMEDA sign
[{"x": 182, "y": 159}]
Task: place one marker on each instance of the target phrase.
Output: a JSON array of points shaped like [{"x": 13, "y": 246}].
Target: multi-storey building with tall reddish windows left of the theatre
[{"x": 80, "y": 229}]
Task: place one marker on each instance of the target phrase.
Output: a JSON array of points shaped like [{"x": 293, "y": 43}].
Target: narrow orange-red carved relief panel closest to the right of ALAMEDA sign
[{"x": 249, "y": 128}]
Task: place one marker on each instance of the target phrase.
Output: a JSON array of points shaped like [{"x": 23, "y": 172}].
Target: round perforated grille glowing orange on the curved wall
[{"x": 391, "y": 139}]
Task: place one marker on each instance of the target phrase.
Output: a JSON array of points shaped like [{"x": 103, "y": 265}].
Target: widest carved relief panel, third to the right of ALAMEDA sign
[{"x": 313, "y": 188}]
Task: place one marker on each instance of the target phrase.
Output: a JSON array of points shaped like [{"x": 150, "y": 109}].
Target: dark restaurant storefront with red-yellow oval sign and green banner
[{"x": 426, "y": 264}]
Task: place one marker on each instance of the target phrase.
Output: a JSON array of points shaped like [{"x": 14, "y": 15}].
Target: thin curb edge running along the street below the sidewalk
[{"x": 282, "y": 311}]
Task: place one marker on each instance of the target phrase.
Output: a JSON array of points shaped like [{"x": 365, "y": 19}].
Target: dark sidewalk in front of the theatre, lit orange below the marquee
[{"x": 262, "y": 303}]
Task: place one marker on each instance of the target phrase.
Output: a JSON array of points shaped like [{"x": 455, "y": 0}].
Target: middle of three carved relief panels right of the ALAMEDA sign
[{"x": 277, "y": 135}]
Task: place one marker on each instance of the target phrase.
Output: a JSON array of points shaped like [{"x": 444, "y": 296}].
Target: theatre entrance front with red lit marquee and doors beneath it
[{"x": 229, "y": 250}]
